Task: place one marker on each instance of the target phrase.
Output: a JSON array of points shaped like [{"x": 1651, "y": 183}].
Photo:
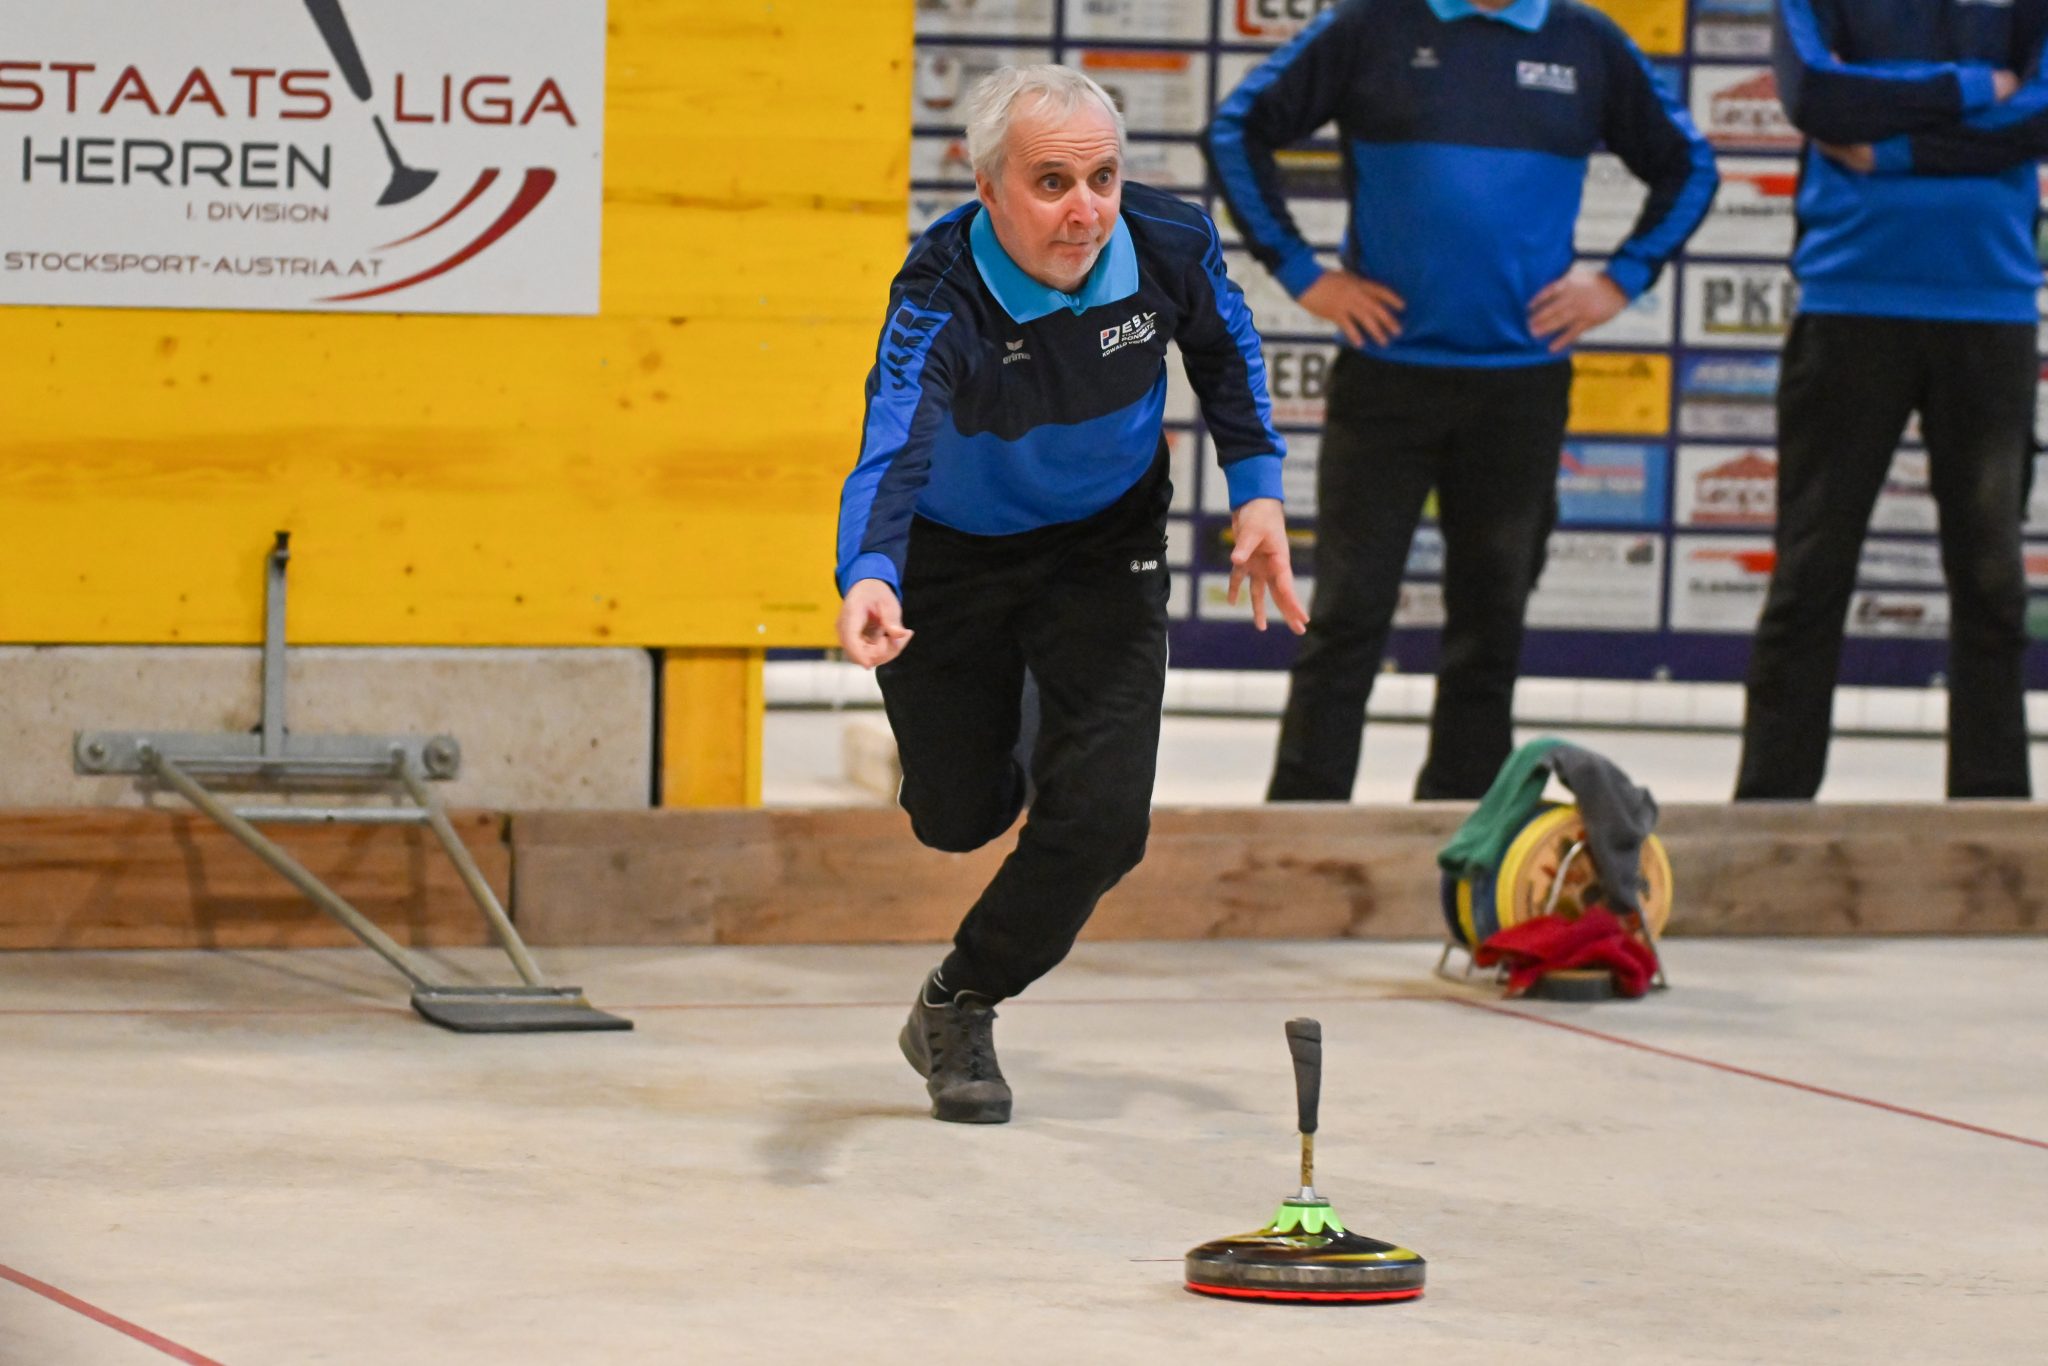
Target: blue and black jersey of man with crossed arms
[{"x": 1945, "y": 230}]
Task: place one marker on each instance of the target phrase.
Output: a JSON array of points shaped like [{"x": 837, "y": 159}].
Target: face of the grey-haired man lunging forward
[{"x": 1054, "y": 202}]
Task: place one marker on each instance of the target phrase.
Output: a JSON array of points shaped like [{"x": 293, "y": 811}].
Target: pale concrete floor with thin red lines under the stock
[{"x": 265, "y": 1160}]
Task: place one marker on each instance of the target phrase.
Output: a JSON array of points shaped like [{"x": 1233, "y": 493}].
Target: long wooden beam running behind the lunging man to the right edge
[{"x": 1304, "y": 871}]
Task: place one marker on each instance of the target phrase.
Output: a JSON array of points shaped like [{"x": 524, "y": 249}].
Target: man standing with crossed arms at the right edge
[{"x": 1918, "y": 273}]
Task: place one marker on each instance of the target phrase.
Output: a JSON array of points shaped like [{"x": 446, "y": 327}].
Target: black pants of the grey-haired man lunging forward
[{"x": 1082, "y": 607}]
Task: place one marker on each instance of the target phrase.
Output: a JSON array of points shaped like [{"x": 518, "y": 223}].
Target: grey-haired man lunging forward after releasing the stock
[{"x": 1009, "y": 515}]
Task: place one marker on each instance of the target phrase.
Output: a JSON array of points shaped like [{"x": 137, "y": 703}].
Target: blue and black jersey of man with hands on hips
[{"x": 1465, "y": 138}]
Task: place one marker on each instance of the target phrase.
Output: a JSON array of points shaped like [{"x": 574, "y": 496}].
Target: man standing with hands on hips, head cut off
[{"x": 1465, "y": 130}]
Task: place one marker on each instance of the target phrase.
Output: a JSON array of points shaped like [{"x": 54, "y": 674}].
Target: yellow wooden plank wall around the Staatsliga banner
[{"x": 665, "y": 474}]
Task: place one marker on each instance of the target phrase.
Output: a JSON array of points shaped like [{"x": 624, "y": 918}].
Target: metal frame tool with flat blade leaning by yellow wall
[{"x": 278, "y": 759}]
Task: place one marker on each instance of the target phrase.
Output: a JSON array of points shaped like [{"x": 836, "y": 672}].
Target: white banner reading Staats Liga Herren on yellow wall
[{"x": 314, "y": 155}]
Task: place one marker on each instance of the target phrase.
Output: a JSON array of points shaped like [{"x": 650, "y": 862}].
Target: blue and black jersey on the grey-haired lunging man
[{"x": 1000, "y": 404}]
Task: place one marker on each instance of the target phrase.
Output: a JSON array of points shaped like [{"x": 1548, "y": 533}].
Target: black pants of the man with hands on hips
[{"x": 1488, "y": 441}]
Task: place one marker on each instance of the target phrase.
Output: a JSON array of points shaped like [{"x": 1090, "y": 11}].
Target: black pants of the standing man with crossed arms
[{"x": 1848, "y": 388}]
